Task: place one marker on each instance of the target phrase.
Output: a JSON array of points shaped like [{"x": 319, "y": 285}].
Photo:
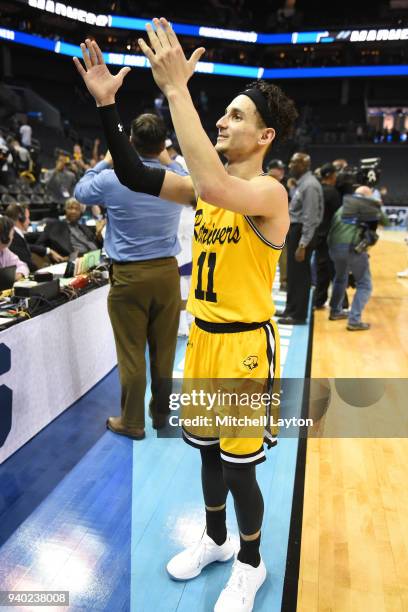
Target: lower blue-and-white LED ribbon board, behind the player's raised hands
[{"x": 254, "y": 72}]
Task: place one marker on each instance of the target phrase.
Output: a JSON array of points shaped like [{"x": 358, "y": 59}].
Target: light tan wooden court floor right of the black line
[{"x": 354, "y": 551}]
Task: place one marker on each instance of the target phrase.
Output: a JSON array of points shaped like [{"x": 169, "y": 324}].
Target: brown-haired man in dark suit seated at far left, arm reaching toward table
[{"x": 20, "y": 215}]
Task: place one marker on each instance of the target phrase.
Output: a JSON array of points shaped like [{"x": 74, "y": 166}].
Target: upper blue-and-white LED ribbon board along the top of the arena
[{"x": 292, "y": 38}]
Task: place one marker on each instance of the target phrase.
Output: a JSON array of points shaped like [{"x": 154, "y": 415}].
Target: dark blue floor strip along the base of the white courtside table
[{"x": 24, "y": 483}]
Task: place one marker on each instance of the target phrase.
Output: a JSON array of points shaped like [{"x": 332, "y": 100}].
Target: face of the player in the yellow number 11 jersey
[{"x": 238, "y": 130}]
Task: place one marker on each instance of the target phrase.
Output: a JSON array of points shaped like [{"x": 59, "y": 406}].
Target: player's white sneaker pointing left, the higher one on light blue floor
[{"x": 189, "y": 563}]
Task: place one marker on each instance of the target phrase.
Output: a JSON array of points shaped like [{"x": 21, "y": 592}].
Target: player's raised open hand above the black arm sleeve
[{"x": 101, "y": 84}]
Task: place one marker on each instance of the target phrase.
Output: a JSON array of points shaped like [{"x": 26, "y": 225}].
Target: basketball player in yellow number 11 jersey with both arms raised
[{"x": 240, "y": 228}]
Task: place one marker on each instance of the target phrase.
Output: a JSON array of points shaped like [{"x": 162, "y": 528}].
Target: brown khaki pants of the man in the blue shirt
[{"x": 144, "y": 306}]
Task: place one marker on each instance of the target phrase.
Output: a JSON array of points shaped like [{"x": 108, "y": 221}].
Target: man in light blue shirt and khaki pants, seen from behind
[{"x": 144, "y": 299}]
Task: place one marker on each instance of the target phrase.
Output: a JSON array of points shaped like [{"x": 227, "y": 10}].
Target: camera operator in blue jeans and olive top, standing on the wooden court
[{"x": 351, "y": 233}]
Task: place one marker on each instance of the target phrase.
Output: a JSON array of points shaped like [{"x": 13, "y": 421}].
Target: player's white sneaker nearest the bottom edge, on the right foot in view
[{"x": 242, "y": 587}]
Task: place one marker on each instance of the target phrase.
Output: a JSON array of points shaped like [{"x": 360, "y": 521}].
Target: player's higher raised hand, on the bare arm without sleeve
[{"x": 171, "y": 69}]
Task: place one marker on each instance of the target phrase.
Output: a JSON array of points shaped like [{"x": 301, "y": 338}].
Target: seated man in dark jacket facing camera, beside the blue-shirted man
[{"x": 69, "y": 236}]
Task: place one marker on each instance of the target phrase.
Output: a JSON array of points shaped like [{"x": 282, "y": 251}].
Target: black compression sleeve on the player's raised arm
[{"x": 128, "y": 166}]
